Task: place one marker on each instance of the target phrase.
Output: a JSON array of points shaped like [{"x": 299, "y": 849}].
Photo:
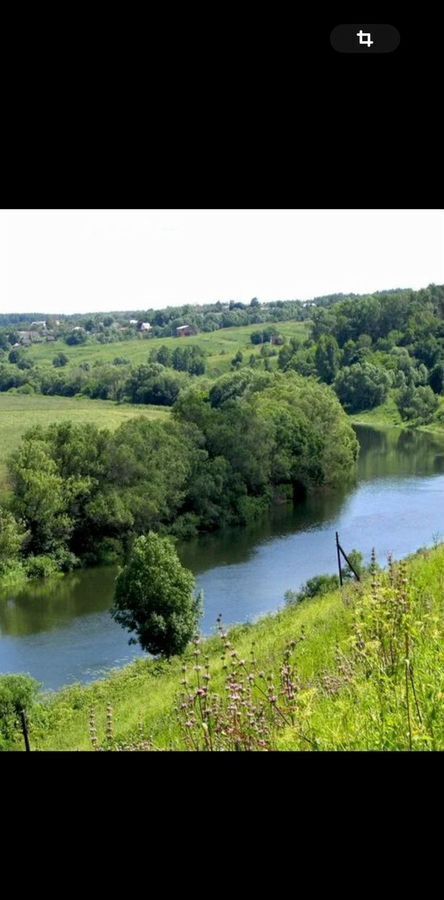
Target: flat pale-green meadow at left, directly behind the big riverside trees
[{"x": 19, "y": 412}]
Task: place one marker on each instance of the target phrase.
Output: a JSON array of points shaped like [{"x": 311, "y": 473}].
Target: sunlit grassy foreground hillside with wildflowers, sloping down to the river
[{"x": 345, "y": 685}]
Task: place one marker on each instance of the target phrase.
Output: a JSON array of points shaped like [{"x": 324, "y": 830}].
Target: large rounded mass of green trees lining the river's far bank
[{"x": 80, "y": 493}]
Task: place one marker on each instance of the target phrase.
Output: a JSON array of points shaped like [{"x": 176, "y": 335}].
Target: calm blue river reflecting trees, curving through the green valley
[{"x": 61, "y": 632}]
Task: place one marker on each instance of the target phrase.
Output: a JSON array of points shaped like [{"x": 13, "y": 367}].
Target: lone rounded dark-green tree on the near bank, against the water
[{"x": 154, "y": 597}]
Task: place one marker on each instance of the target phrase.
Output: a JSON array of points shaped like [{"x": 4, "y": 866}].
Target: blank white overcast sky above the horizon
[{"x": 68, "y": 261}]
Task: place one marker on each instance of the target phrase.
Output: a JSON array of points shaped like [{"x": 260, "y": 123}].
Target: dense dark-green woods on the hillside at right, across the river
[{"x": 366, "y": 346}]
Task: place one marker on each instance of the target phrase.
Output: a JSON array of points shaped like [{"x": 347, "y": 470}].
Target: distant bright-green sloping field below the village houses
[{"x": 220, "y": 347}]
